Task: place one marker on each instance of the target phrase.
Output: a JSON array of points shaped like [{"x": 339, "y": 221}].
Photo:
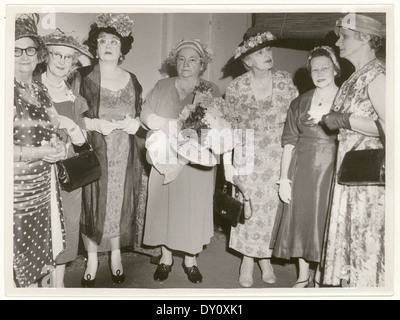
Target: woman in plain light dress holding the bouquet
[{"x": 179, "y": 214}]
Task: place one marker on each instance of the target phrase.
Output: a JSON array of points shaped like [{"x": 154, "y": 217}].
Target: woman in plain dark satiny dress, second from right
[{"x": 307, "y": 169}]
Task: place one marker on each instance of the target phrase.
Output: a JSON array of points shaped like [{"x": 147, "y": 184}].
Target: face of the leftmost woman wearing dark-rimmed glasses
[{"x": 26, "y": 63}]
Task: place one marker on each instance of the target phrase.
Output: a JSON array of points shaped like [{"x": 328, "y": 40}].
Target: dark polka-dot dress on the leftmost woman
[{"x": 38, "y": 217}]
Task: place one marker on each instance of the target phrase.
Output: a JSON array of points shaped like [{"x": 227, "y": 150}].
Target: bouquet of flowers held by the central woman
[{"x": 204, "y": 122}]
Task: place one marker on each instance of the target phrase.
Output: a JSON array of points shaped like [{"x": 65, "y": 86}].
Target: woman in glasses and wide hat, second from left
[{"x": 63, "y": 51}]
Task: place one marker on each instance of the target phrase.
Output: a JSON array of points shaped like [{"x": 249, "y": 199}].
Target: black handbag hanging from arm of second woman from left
[{"x": 79, "y": 170}]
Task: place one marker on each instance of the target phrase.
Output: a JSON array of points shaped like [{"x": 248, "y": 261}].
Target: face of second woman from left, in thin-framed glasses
[{"x": 60, "y": 60}]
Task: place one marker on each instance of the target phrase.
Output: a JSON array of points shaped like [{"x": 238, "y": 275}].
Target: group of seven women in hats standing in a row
[{"x": 298, "y": 208}]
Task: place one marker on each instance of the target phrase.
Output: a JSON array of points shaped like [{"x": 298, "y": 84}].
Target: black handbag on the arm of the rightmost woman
[{"x": 364, "y": 167}]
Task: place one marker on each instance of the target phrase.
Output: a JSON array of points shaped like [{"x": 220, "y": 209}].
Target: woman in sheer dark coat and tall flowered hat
[{"x": 114, "y": 98}]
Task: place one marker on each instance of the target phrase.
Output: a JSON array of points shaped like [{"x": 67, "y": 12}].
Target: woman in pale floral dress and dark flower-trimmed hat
[{"x": 258, "y": 100}]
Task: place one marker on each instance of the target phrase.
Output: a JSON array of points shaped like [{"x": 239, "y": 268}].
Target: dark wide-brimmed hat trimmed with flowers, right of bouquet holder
[{"x": 254, "y": 39}]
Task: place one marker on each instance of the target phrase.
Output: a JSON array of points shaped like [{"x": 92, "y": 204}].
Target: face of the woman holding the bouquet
[{"x": 188, "y": 63}]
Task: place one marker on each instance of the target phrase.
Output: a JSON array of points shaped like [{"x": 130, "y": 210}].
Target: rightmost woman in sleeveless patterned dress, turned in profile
[{"x": 355, "y": 244}]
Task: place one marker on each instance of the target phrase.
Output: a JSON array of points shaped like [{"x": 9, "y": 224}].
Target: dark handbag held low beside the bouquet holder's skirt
[{"x": 228, "y": 207}]
